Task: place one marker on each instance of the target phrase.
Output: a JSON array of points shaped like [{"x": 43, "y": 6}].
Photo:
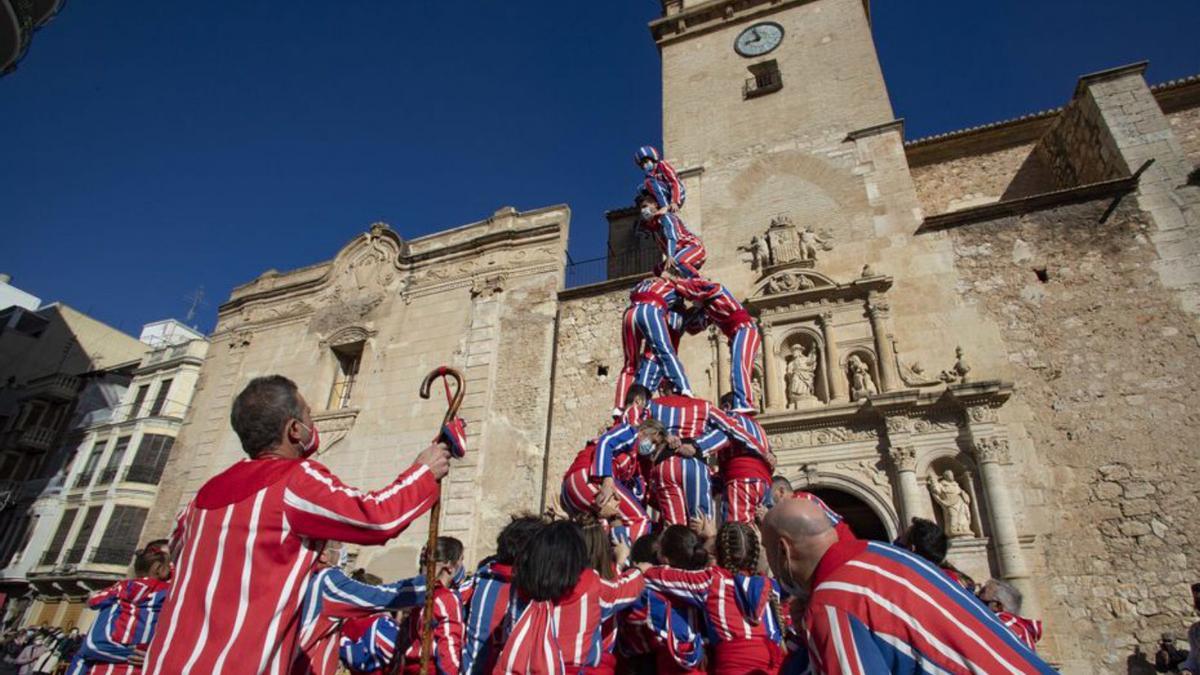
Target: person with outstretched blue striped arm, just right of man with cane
[{"x": 332, "y": 599}]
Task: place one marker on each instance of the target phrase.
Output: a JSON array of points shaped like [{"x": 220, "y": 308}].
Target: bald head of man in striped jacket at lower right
[{"x": 797, "y": 534}]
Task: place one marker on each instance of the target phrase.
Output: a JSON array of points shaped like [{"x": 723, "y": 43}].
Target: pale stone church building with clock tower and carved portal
[{"x": 1001, "y": 319}]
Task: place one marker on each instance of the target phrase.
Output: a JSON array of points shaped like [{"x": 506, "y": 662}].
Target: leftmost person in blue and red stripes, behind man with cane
[{"x": 128, "y": 617}]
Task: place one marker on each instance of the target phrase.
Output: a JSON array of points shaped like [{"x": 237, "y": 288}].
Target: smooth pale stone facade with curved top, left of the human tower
[{"x": 481, "y": 298}]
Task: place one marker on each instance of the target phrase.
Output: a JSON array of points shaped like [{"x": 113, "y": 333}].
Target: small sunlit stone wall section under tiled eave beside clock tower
[{"x": 969, "y": 181}]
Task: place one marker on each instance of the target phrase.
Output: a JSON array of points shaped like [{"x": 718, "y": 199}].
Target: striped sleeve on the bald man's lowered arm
[{"x": 841, "y": 643}]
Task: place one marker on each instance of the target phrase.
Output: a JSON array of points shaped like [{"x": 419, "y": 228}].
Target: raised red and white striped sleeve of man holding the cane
[{"x": 319, "y": 505}]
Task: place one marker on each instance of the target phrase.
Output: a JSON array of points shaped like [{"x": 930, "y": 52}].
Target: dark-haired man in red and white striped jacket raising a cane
[{"x": 251, "y": 536}]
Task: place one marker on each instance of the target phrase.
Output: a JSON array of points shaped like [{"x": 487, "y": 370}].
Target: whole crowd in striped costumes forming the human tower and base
[{"x": 645, "y": 574}]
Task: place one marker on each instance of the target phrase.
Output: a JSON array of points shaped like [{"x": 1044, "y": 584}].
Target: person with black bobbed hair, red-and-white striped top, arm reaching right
[{"x": 555, "y": 624}]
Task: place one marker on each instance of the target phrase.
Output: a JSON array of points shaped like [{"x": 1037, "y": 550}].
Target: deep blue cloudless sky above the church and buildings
[{"x": 170, "y": 146}]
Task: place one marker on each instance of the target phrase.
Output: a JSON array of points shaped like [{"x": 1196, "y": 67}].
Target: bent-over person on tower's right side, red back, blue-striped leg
[{"x": 727, "y": 313}]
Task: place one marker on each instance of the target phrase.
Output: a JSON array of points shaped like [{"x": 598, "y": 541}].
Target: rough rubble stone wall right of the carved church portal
[{"x": 1106, "y": 368}]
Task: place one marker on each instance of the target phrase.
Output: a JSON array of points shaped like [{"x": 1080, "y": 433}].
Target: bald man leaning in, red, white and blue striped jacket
[{"x": 877, "y": 608}]
